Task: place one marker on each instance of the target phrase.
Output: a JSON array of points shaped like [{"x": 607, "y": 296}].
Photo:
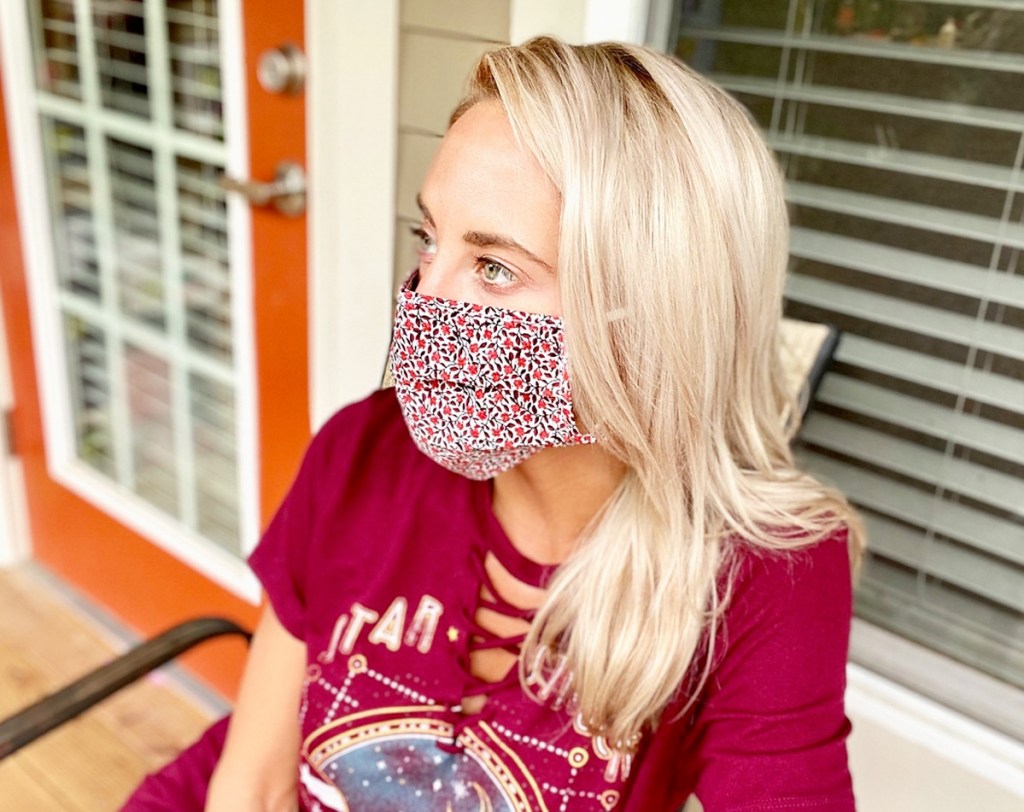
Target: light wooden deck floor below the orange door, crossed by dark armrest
[{"x": 94, "y": 762}]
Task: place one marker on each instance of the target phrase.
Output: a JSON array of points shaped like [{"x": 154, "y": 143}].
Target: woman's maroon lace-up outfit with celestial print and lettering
[{"x": 375, "y": 561}]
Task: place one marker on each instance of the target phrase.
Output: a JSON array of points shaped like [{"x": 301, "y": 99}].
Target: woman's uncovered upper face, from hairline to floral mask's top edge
[{"x": 490, "y": 230}]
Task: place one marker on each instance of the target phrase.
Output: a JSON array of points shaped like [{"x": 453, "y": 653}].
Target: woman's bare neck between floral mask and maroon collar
[{"x": 545, "y": 503}]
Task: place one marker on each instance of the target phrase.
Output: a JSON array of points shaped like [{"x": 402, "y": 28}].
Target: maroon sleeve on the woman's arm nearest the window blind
[{"x": 771, "y": 734}]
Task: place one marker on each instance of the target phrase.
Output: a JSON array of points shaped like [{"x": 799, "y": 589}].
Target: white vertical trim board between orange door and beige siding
[{"x": 353, "y": 147}]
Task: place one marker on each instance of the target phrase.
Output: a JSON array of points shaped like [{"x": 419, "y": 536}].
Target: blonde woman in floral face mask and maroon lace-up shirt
[{"x": 492, "y": 590}]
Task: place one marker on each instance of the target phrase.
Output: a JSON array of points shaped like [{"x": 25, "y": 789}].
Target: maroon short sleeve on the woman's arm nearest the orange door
[{"x": 280, "y": 559}]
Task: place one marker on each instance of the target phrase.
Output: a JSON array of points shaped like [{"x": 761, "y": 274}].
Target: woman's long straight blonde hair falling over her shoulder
[{"x": 672, "y": 257}]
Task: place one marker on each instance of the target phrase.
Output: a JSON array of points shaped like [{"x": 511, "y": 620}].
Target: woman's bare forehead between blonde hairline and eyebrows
[{"x": 483, "y": 174}]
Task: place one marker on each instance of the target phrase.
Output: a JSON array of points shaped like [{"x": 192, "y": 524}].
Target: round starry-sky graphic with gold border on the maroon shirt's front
[{"x": 392, "y": 763}]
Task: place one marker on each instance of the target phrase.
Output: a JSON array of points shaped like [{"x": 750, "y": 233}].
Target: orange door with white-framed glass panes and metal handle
[{"x": 169, "y": 405}]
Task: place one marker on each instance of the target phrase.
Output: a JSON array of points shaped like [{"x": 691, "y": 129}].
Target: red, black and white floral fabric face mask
[{"x": 482, "y": 389}]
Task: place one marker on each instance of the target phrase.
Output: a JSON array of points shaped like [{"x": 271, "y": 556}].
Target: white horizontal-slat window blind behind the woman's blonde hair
[{"x": 901, "y": 130}]
